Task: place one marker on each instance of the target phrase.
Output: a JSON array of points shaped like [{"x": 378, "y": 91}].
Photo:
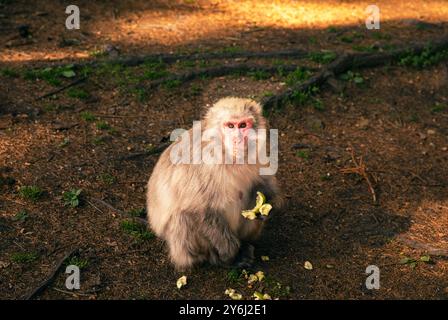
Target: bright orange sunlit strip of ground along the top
[{"x": 155, "y": 25}]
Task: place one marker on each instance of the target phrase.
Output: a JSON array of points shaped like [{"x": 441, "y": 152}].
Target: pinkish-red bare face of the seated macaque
[{"x": 236, "y": 133}]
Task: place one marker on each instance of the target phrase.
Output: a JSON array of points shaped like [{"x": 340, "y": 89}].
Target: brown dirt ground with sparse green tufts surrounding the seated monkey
[{"x": 81, "y": 138}]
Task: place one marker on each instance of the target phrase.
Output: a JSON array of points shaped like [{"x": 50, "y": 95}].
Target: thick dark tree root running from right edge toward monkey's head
[{"x": 348, "y": 61}]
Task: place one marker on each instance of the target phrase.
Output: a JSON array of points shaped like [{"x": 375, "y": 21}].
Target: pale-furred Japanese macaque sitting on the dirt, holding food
[{"x": 196, "y": 206}]
